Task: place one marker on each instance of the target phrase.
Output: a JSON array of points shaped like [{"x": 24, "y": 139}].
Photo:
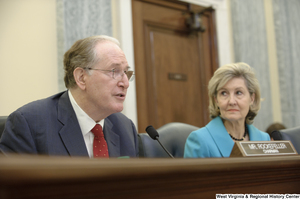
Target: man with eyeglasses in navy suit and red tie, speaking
[{"x": 85, "y": 120}]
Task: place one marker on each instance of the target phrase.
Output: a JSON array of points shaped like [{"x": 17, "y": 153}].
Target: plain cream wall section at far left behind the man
[{"x": 28, "y": 55}]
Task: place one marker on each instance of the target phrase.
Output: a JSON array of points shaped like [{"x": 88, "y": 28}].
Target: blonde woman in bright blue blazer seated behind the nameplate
[{"x": 234, "y": 101}]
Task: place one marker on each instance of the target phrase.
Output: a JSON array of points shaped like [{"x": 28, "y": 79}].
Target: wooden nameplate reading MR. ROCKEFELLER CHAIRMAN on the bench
[{"x": 263, "y": 148}]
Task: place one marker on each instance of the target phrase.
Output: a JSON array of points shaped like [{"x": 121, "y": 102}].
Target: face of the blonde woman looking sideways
[{"x": 234, "y": 100}]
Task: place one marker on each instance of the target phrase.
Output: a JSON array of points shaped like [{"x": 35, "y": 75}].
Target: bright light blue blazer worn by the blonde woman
[{"x": 214, "y": 141}]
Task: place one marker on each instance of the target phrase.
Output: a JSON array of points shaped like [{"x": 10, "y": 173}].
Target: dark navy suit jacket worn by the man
[{"x": 50, "y": 126}]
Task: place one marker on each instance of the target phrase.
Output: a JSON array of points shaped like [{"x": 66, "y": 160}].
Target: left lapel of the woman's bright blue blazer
[{"x": 220, "y": 136}]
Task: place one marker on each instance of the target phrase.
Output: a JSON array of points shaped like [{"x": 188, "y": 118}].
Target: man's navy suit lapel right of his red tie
[{"x": 112, "y": 138}]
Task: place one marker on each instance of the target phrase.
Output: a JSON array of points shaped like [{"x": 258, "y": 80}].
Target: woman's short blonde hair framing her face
[{"x": 225, "y": 73}]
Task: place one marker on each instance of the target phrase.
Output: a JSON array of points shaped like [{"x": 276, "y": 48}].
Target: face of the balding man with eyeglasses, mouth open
[{"x": 104, "y": 93}]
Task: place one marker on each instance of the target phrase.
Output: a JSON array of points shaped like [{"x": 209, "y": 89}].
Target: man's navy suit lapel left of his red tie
[{"x": 70, "y": 133}]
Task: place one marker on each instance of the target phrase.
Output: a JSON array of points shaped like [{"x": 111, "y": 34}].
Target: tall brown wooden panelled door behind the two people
[{"x": 173, "y": 63}]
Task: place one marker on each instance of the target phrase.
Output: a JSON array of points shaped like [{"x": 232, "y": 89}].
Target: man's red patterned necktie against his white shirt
[{"x": 99, "y": 144}]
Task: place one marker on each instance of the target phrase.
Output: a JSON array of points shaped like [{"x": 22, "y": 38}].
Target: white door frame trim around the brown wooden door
[{"x": 123, "y": 31}]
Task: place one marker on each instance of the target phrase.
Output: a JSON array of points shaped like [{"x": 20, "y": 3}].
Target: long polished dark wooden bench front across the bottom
[{"x": 63, "y": 177}]
